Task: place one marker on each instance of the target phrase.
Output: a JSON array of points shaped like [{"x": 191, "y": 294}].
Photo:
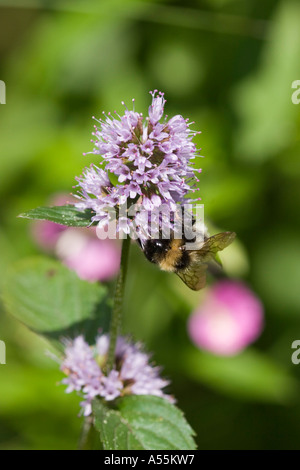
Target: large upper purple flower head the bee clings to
[{"x": 151, "y": 162}]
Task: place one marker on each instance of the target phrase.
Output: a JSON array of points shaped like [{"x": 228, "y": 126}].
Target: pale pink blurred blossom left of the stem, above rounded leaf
[{"x": 92, "y": 259}]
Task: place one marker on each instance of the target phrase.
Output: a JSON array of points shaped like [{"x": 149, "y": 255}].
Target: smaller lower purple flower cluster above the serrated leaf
[{"x": 133, "y": 374}]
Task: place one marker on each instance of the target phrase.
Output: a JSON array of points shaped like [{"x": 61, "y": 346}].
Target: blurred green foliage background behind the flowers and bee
[{"x": 228, "y": 65}]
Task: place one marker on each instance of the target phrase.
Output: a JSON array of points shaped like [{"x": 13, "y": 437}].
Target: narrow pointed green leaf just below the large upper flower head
[{"x": 64, "y": 215}]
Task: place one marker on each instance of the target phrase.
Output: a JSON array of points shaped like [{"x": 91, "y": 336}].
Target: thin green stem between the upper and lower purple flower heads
[{"x": 118, "y": 305}]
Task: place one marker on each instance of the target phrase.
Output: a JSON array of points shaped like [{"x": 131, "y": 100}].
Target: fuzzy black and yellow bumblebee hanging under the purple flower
[{"x": 190, "y": 265}]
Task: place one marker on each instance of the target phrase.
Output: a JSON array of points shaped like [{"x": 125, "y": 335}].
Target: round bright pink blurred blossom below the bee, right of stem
[{"x": 230, "y": 318}]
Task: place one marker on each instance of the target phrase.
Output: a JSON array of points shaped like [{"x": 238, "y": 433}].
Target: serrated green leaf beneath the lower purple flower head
[{"x": 143, "y": 422}]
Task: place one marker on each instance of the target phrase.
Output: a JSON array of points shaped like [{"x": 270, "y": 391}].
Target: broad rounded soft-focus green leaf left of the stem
[{"x": 50, "y": 299}]
